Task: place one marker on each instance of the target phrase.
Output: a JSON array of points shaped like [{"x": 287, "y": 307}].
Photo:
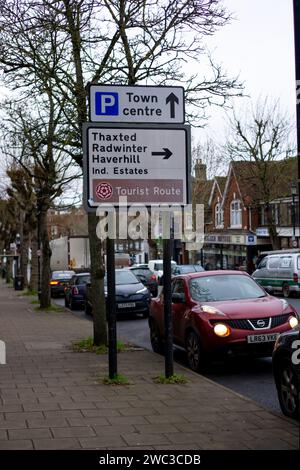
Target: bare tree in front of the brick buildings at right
[{"x": 262, "y": 138}]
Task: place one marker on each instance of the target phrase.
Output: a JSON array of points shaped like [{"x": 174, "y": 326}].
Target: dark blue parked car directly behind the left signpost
[{"x": 131, "y": 295}]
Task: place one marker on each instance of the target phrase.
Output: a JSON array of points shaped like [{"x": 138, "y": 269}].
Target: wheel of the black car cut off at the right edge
[{"x": 287, "y": 389}]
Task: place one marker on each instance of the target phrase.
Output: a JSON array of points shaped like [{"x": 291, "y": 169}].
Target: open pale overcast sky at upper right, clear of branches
[{"x": 258, "y": 45}]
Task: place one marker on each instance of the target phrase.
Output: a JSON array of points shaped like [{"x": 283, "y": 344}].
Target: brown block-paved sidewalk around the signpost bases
[{"x": 50, "y": 397}]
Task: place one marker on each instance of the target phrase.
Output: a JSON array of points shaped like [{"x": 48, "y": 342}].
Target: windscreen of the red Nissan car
[{"x": 224, "y": 287}]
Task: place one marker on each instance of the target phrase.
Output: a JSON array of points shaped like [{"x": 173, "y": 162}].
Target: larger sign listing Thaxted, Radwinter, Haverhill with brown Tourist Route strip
[{"x": 148, "y": 164}]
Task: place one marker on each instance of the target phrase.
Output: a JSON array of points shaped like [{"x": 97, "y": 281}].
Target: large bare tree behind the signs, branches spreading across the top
[{"x": 106, "y": 41}]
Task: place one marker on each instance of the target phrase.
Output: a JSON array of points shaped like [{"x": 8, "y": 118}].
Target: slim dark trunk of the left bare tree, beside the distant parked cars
[{"x": 45, "y": 300}]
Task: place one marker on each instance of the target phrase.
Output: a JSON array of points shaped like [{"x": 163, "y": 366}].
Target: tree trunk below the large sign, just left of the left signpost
[{"x": 97, "y": 283}]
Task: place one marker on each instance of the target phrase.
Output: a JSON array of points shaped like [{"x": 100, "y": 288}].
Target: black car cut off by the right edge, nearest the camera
[{"x": 286, "y": 369}]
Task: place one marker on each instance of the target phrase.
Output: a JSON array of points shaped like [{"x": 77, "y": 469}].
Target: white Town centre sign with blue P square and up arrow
[{"x": 136, "y": 104}]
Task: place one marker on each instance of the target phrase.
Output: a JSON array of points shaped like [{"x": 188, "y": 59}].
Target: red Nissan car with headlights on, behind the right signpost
[{"x": 221, "y": 313}]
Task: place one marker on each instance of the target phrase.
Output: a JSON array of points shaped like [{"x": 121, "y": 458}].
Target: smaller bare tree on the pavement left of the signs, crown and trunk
[{"x": 29, "y": 142}]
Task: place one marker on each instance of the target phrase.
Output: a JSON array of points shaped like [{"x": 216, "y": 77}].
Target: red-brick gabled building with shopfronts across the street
[{"x": 245, "y": 214}]
